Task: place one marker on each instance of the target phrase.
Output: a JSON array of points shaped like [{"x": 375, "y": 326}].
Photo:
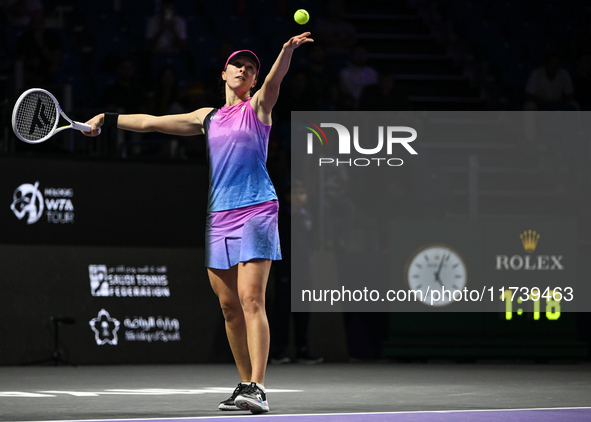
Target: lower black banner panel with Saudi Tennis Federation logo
[{"x": 110, "y": 305}]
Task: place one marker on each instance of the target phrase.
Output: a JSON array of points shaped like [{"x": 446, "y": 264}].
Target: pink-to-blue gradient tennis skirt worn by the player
[{"x": 242, "y": 234}]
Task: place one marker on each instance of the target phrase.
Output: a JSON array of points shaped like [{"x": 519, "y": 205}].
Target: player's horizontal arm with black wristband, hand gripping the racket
[{"x": 187, "y": 124}]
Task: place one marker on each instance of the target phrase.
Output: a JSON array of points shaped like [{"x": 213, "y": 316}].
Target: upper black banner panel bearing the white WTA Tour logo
[{"x": 97, "y": 203}]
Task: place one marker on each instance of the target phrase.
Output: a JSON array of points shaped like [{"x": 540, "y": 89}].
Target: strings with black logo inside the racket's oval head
[{"x": 36, "y": 116}]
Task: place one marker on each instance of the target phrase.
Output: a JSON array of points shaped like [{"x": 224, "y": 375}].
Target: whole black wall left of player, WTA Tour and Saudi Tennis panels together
[{"x": 111, "y": 257}]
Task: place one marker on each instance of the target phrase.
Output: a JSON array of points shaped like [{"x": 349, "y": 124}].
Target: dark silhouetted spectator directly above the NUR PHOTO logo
[{"x": 385, "y": 95}]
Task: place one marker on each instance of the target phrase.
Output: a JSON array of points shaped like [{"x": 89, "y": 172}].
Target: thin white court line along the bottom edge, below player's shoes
[{"x": 267, "y": 415}]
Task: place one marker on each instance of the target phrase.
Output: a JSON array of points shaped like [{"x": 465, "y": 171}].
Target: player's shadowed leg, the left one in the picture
[{"x": 225, "y": 286}]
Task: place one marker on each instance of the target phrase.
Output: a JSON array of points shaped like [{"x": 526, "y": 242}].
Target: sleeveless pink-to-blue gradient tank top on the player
[{"x": 237, "y": 143}]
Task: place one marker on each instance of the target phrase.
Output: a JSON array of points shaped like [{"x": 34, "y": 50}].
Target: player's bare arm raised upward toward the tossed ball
[{"x": 264, "y": 100}]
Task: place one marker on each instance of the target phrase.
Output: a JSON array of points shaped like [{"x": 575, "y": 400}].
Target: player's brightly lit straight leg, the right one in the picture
[{"x": 252, "y": 284}]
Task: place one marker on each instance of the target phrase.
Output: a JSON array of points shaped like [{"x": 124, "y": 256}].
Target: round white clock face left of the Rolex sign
[{"x": 435, "y": 268}]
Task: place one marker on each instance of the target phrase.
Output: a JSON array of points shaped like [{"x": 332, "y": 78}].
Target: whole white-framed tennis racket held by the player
[{"x": 36, "y": 115}]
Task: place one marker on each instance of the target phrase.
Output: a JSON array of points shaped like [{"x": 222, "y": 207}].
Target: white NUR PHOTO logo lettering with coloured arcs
[{"x": 385, "y": 136}]
